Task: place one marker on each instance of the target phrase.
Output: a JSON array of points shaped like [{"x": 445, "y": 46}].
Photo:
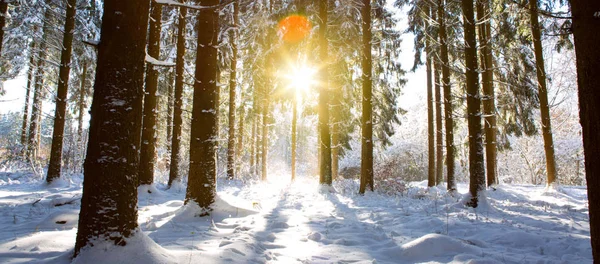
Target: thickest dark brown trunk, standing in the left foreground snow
[{"x": 109, "y": 201}]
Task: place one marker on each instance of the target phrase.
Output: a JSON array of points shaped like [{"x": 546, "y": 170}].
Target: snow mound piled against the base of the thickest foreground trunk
[{"x": 139, "y": 249}]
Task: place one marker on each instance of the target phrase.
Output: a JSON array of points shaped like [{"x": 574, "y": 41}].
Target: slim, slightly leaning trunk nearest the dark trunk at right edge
[{"x": 543, "y": 93}]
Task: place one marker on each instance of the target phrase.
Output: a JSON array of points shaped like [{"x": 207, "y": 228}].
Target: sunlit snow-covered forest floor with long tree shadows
[{"x": 301, "y": 222}]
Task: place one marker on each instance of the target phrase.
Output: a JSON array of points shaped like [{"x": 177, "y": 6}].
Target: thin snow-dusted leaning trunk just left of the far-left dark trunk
[{"x": 38, "y": 94}]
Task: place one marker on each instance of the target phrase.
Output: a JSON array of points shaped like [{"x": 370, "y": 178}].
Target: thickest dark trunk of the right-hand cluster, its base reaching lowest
[{"x": 476, "y": 167}]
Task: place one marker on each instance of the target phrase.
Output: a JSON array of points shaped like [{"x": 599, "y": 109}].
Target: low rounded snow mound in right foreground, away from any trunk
[{"x": 436, "y": 245}]
